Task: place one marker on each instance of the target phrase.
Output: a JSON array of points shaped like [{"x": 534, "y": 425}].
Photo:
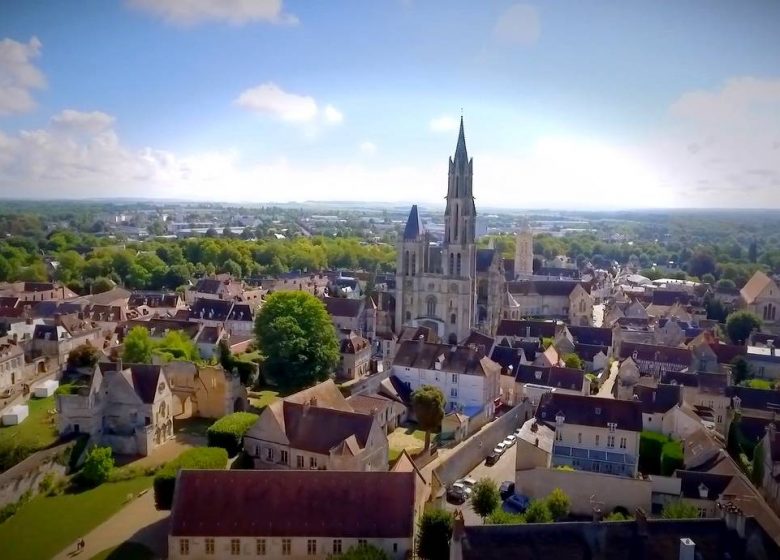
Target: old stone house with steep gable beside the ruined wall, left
[{"x": 126, "y": 407}]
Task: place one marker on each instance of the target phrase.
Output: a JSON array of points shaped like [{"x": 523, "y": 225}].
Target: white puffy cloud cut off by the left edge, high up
[{"x": 18, "y": 75}]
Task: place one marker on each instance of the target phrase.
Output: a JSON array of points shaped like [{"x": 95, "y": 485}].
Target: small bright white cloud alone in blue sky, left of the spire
[{"x": 270, "y": 99}]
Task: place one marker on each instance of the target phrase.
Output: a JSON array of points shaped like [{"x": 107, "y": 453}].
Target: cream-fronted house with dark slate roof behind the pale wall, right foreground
[{"x": 593, "y": 434}]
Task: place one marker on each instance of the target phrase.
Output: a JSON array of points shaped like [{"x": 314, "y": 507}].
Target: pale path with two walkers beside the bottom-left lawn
[{"x": 139, "y": 521}]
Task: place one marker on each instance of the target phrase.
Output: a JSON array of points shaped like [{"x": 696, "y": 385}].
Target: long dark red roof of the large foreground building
[{"x": 294, "y": 503}]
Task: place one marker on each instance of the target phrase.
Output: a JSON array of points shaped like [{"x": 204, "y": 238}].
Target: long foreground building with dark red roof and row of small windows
[{"x": 304, "y": 514}]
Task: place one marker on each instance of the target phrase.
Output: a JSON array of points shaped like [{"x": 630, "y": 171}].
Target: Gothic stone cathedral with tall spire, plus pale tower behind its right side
[{"x": 449, "y": 285}]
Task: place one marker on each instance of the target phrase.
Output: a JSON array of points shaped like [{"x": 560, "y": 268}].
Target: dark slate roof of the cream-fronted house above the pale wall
[{"x": 590, "y": 411}]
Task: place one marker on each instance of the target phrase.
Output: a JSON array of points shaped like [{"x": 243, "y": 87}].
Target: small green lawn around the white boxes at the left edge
[{"x": 36, "y": 432}]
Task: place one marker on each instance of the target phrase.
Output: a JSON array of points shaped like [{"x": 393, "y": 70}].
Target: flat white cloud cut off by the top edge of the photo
[{"x": 235, "y": 12}]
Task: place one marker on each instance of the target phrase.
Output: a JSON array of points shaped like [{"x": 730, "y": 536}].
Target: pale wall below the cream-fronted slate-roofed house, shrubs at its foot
[{"x": 608, "y": 490}]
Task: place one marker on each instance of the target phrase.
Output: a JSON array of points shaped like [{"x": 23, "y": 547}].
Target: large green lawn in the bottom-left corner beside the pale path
[{"x": 46, "y": 525}]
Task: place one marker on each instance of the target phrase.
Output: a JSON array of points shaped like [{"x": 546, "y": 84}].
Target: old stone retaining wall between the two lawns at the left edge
[{"x": 28, "y": 474}]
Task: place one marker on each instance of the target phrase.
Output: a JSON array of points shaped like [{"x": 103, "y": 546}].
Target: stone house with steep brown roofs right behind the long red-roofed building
[{"x": 317, "y": 429}]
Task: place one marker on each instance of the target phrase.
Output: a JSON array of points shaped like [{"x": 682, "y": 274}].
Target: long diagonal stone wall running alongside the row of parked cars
[{"x": 474, "y": 450}]
